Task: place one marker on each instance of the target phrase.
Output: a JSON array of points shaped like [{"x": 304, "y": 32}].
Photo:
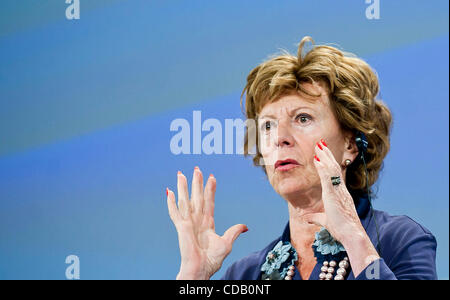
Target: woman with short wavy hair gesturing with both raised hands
[{"x": 321, "y": 138}]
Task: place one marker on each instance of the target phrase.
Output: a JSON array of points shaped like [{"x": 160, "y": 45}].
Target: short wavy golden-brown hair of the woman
[{"x": 352, "y": 88}]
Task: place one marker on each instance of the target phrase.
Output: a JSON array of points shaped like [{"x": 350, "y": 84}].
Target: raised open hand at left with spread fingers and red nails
[{"x": 202, "y": 250}]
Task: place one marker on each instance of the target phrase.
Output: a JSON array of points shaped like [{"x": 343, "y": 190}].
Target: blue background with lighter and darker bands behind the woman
[{"x": 86, "y": 107}]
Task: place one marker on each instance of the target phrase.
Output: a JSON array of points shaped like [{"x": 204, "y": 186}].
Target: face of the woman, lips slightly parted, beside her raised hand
[{"x": 289, "y": 130}]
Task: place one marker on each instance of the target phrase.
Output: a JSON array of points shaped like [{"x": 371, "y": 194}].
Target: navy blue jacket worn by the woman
[{"x": 408, "y": 250}]
